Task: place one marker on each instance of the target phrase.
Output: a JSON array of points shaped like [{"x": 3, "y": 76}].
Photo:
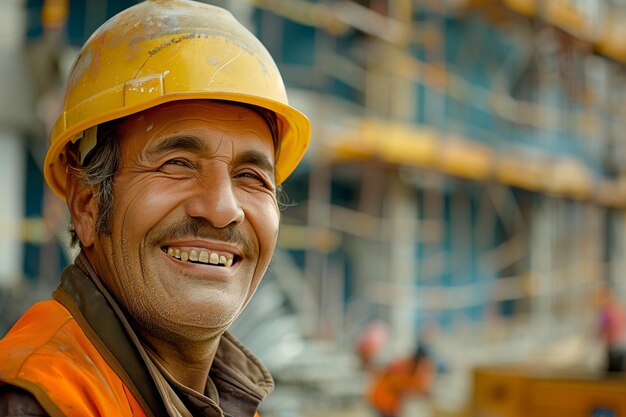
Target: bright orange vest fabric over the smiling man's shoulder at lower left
[{"x": 47, "y": 354}]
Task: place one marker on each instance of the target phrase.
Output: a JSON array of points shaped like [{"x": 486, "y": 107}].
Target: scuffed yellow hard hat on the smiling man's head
[{"x": 164, "y": 50}]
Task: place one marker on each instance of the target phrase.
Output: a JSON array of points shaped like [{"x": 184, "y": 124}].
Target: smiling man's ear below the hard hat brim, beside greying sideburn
[{"x": 83, "y": 206}]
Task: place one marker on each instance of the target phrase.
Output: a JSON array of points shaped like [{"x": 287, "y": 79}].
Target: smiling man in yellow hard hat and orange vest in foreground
[{"x": 174, "y": 139}]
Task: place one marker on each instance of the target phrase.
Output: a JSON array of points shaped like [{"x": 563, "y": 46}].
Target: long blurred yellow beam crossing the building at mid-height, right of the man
[{"x": 401, "y": 143}]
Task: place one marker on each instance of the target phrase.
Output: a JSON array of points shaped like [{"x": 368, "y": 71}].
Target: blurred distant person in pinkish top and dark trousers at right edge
[{"x": 612, "y": 329}]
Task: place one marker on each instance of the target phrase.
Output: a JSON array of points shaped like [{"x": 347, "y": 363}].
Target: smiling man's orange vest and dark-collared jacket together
[{"x": 77, "y": 355}]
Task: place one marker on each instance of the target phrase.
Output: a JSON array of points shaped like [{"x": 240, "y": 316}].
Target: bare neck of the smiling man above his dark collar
[{"x": 187, "y": 362}]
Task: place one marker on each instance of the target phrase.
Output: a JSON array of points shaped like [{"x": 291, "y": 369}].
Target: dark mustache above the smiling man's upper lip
[{"x": 201, "y": 229}]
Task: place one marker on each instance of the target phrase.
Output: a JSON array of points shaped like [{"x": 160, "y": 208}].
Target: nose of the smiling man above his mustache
[{"x": 215, "y": 201}]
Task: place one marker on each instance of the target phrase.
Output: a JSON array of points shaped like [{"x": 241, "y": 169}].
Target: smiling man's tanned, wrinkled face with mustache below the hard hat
[{"x": 195, "y": 217}]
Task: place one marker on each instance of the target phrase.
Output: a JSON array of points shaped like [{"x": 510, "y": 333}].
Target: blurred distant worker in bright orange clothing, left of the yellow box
[{"x": 400, "y": 380}]
